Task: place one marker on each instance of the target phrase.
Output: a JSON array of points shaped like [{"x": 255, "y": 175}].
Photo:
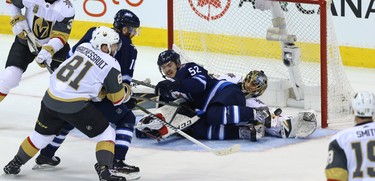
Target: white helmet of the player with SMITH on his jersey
[{"x": 363, "y": 104}]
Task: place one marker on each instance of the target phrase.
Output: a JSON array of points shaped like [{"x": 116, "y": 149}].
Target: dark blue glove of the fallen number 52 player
[{"x": 165, "y": 88}]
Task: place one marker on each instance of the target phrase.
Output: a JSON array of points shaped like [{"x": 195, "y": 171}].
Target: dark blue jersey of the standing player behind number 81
[{"x": 126, "y": 56}]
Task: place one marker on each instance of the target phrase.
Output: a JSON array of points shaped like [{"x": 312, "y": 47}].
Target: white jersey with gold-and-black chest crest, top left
[{"x": 45, "y": 20}]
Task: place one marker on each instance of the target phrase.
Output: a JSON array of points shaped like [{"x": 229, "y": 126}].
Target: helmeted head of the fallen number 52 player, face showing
[{"x": 164, "y": 59}]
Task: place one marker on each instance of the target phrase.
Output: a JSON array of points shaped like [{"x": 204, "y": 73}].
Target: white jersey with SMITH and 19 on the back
[{"x": 352, "y": 154}]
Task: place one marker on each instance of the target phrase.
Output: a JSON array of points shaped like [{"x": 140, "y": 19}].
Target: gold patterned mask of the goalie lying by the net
[{"x": 255, "y": 83}]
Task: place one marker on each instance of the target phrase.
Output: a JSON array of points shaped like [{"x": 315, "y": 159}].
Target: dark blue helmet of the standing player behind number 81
[{"x": 125, "y": 18}]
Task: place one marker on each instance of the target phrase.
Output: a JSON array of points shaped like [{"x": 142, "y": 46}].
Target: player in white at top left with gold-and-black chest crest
[{"x": 47, "y": 24}]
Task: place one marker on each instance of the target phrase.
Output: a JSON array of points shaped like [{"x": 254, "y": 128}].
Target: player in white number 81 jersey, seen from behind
[{"x": 73, "y": 84}]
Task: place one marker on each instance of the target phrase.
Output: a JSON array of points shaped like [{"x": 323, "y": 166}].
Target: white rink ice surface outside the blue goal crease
[{"x": 18, "y": 113}]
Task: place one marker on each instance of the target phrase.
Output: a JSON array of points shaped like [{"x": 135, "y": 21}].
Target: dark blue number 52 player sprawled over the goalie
[{"x": 217, "y": 102}]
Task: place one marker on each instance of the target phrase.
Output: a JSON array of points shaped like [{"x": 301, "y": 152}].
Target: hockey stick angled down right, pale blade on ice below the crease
[{"x": 233, "y": 149}]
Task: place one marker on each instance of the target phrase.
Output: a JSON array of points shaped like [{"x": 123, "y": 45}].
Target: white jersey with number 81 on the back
[{"x": 81, "y": 78}]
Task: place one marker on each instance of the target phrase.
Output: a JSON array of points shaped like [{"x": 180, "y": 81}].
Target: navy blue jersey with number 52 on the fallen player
[{"x": 194, "y": 81}]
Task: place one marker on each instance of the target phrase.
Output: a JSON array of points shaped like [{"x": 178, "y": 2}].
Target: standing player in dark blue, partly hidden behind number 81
[{"x": 128, "y": 24}]
